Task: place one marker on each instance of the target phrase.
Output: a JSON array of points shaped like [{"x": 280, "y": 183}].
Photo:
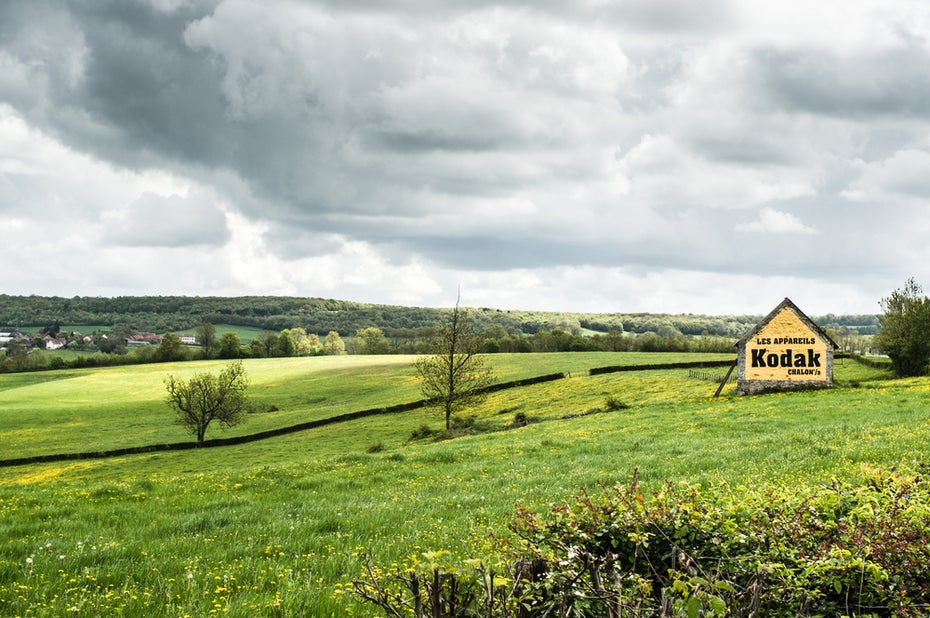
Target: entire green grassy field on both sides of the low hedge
[{"x": 274, "y": 527}]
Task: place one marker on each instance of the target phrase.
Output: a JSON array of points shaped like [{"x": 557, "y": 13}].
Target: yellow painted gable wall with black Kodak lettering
[{"x": 786, "y": 349}]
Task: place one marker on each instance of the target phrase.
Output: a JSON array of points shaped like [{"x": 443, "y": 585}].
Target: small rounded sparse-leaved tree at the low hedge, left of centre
[{"x": 207, "y": 397}]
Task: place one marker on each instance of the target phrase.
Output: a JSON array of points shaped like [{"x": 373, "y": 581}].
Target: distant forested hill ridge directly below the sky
[{"x": 162, "y": 314}]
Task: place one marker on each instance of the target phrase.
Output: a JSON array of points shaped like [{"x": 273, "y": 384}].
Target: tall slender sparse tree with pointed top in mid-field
[{"x": 454, "y": 376}]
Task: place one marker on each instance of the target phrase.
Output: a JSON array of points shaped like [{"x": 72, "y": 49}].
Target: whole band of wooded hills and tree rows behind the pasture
[{"x": 308, "y": 326}]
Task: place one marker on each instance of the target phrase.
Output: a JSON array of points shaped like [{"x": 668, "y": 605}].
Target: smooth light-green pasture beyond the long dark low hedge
[{"x": 117, "y": 407}]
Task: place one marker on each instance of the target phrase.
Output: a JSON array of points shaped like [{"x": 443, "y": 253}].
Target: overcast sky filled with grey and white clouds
[{"x": 597, "y": 156}]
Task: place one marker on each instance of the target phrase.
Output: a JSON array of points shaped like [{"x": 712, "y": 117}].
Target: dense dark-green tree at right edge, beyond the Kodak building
[{"x": 905, "y": 329}]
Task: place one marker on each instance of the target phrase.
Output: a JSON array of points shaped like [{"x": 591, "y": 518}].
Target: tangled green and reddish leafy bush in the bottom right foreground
[{"x": 840, "y": 549}]
